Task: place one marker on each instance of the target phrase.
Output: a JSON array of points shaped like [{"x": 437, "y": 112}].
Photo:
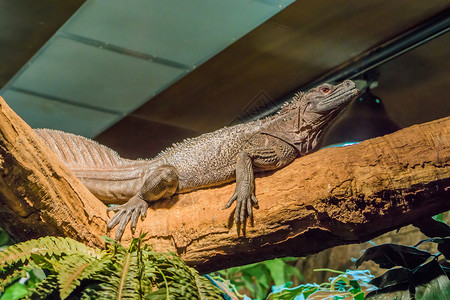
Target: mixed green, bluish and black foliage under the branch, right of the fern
[{"x": 418, "y": 273}]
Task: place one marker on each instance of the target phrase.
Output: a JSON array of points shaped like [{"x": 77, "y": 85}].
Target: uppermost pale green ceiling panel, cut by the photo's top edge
[{"x": 187, "y": 32}]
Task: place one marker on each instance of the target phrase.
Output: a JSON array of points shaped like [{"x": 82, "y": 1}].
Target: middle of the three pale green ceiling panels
[{"x": 91, "y": 76}]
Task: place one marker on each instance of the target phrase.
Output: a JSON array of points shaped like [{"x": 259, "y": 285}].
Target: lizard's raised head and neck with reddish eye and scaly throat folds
[{"x": 302, "y": 121}]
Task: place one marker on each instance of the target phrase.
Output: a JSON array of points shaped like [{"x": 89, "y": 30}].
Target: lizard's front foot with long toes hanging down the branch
[{"x": 244, "y": 208}]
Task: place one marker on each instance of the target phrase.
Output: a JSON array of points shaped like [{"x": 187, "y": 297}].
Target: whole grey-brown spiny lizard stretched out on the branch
[{"x": 211, "y": 159}]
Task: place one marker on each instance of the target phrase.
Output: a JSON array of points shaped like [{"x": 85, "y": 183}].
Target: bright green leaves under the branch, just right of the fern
[{"x": 258, "y": 278}]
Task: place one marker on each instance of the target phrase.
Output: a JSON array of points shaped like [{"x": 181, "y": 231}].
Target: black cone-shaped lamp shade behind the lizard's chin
[{"x": 366, "y": 118}]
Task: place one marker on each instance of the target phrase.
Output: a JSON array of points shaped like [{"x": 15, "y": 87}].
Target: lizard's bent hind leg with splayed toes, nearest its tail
[{"x": 161, "y": 183}]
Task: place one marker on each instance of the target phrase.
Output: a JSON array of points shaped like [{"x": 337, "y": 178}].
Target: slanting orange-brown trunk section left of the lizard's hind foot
[{"x": 39, "y": 196}]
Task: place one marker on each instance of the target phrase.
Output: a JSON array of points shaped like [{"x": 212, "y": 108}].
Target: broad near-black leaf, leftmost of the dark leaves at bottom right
[{"x": 391, "y": 255}]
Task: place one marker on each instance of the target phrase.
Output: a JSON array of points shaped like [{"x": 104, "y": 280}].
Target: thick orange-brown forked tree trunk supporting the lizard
[{"x": 332, "y": 197}]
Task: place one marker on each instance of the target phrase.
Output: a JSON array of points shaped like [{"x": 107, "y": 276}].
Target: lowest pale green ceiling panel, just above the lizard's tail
[{"x": 41, "y": 112}]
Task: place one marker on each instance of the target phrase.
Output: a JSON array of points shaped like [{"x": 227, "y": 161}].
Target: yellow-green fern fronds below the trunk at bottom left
[{"x": 77, "y": 271}]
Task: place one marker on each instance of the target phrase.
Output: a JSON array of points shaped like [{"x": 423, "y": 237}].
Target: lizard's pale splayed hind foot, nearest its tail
[{"x": 131, "y": 210}]
